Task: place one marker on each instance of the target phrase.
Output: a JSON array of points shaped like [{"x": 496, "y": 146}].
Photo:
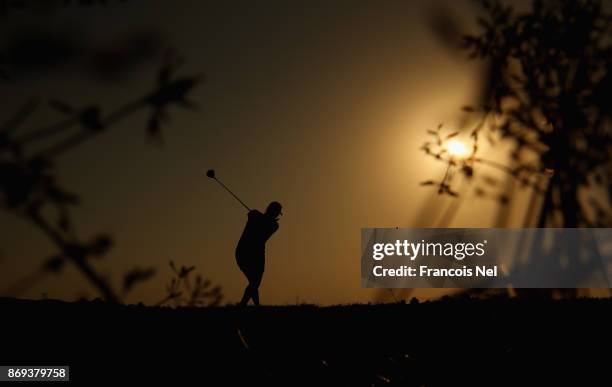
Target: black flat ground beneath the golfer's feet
[{"x": 449, "y": 342}]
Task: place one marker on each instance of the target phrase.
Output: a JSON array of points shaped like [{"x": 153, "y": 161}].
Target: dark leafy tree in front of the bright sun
[{"x": 547, "y": 92}]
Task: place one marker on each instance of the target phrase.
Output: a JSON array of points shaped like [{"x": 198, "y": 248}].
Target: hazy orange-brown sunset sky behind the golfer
[{"x": 322, "y": 107}]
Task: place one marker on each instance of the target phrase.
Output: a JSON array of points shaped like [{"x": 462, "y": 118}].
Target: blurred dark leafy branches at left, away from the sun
[{"x": 29, "y": 187}]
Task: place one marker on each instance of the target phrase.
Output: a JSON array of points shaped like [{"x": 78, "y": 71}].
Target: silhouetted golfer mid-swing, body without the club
[{"x": 251, "y": 249}]
